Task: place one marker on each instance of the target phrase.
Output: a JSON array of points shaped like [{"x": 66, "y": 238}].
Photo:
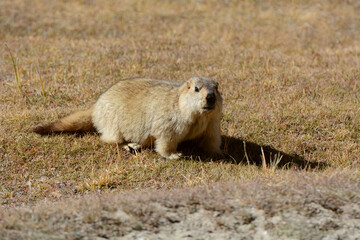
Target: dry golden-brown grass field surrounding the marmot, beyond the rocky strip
[{"x": 288, "y": 70}]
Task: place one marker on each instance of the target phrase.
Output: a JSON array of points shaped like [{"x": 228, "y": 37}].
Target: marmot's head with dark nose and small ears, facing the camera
[{"x": 201, "y": 94}]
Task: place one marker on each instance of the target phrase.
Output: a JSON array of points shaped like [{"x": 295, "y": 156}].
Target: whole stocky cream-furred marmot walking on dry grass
[{"x": 141, "y": 112}]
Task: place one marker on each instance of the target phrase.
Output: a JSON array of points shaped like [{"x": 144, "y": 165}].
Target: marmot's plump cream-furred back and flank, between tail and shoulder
[{"x": 132, "y": 107}]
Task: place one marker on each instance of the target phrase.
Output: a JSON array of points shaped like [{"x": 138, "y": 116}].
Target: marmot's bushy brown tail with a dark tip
[{"x": 76, "y": 122}]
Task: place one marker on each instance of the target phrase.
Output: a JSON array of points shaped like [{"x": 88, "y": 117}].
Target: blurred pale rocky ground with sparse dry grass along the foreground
[{"x": 301, "y": 206}]
